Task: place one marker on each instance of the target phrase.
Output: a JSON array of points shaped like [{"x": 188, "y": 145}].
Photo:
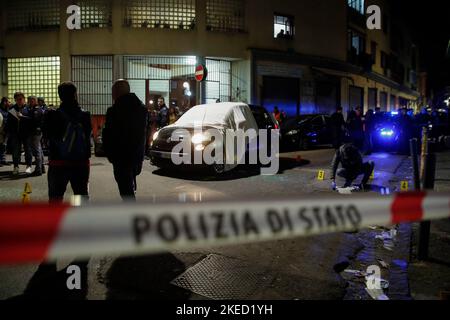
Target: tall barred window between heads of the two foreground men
[{"x": 93, "y": 75}]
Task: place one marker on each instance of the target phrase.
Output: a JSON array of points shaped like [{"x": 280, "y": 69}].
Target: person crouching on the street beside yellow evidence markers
[{"x": 352, "y": 166}]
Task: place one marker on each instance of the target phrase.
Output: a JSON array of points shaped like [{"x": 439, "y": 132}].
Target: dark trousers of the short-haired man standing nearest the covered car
[{"x": 125, "y": 175}]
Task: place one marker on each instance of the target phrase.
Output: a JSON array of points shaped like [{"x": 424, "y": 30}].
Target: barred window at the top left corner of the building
[{"x": 32, "y": 14}]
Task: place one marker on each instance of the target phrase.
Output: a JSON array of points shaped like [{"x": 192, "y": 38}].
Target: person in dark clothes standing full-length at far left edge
[{"x": 18, "y": 127}]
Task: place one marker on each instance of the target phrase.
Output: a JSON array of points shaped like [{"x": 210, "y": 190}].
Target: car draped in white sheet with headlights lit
[{"x": 193, "y": 129}]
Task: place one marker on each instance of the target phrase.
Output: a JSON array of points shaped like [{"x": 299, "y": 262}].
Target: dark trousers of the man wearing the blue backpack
[{"x": 60, "y": 176}]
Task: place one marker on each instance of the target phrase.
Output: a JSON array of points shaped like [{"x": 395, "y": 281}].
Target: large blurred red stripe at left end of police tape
[{"x": 27, "y": 232}]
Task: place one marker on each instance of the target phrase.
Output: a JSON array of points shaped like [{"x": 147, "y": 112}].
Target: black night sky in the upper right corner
[{"x": 430, "y": 23}]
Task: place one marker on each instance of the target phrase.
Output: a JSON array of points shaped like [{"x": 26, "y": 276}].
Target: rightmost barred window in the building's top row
[{"x": 225, "y": 15}]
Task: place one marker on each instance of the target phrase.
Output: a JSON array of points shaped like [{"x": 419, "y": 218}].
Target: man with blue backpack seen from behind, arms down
[{"x": 68, "y": 130}]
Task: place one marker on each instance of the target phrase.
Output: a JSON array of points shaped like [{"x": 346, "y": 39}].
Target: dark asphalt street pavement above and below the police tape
[{"x": 302, "y": 268}]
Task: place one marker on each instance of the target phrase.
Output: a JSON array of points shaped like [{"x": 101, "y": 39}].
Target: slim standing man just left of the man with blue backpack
[{"x": 33, "y": 140}]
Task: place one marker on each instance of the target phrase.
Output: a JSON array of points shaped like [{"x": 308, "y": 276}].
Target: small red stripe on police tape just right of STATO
[{"x": 408, "y": 207}]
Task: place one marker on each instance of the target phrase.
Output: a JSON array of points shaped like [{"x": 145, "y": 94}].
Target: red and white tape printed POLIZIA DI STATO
[{"x": 38, "y": 232}]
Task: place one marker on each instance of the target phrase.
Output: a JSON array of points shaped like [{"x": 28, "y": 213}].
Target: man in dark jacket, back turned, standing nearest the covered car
[{"x": 124, "y": 138}]
